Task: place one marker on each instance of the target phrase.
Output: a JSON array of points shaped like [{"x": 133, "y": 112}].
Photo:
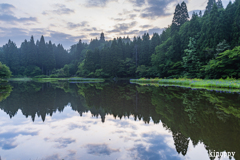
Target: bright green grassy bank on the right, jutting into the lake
[{"x": 192, "y": 83}]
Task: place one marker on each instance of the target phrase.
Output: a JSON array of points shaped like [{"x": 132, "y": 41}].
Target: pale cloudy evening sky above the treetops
[{"x": 67, "y": 21}]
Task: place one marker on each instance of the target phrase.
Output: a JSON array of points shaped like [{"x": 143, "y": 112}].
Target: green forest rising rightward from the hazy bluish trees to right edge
[{"x": 205, "y": 46}]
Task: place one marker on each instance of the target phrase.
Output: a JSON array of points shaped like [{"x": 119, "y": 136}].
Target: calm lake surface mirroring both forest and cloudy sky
[{"x": 109, "y": 121}]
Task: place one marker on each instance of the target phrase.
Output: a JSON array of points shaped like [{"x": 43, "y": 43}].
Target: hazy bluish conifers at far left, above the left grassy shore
[{"x": 32, "y": 58}]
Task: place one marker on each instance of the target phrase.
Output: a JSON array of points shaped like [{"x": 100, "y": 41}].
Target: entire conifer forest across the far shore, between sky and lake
[{"x": 205, "y": 45}]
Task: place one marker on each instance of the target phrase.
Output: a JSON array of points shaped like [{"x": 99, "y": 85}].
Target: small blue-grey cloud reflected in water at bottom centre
[{"x": 100, "y": 149}]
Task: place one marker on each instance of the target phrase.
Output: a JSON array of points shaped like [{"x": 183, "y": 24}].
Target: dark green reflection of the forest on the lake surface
[{"x": 201, "y": 116}]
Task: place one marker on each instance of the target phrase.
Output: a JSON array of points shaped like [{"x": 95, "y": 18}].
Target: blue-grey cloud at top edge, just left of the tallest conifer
[{"x": 156, "y": 9}]
